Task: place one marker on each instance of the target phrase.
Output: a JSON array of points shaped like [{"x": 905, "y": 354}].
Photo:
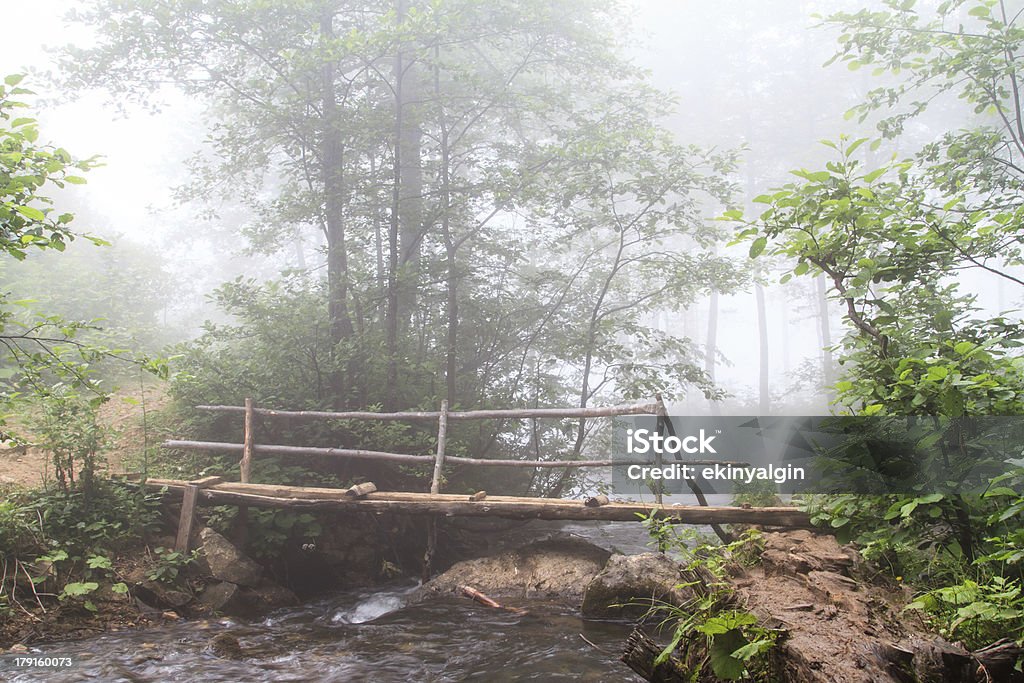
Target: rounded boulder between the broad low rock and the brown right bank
[{"x": 629, "y": 585}]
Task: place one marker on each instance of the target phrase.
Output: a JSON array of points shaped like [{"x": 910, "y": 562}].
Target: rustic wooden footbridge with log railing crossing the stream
[{"x": 366, "y": 498}]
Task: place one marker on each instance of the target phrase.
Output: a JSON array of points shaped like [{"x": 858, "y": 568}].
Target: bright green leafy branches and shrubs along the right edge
[{"x": 890, "y": 242}]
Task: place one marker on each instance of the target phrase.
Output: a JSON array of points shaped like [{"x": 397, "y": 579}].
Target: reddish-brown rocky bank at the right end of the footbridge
[{"x": 858, "y": 632}]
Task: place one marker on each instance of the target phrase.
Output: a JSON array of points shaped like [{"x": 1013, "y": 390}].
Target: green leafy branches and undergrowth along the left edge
[{"x": 67, "y": 534}]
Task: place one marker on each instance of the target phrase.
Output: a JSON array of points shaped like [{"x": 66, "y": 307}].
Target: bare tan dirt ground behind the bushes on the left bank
[{"x": 125, "y": 415}]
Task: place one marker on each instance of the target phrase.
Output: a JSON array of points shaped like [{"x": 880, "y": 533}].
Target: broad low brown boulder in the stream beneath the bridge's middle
[{"x": 556, "y": 569}]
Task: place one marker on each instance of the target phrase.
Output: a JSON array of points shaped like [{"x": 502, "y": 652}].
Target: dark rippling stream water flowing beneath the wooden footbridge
[{"x": 381, "y": 635}]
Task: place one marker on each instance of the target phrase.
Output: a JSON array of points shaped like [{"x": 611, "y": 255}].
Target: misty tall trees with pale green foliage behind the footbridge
[{"x": 518, "y": 263}]
